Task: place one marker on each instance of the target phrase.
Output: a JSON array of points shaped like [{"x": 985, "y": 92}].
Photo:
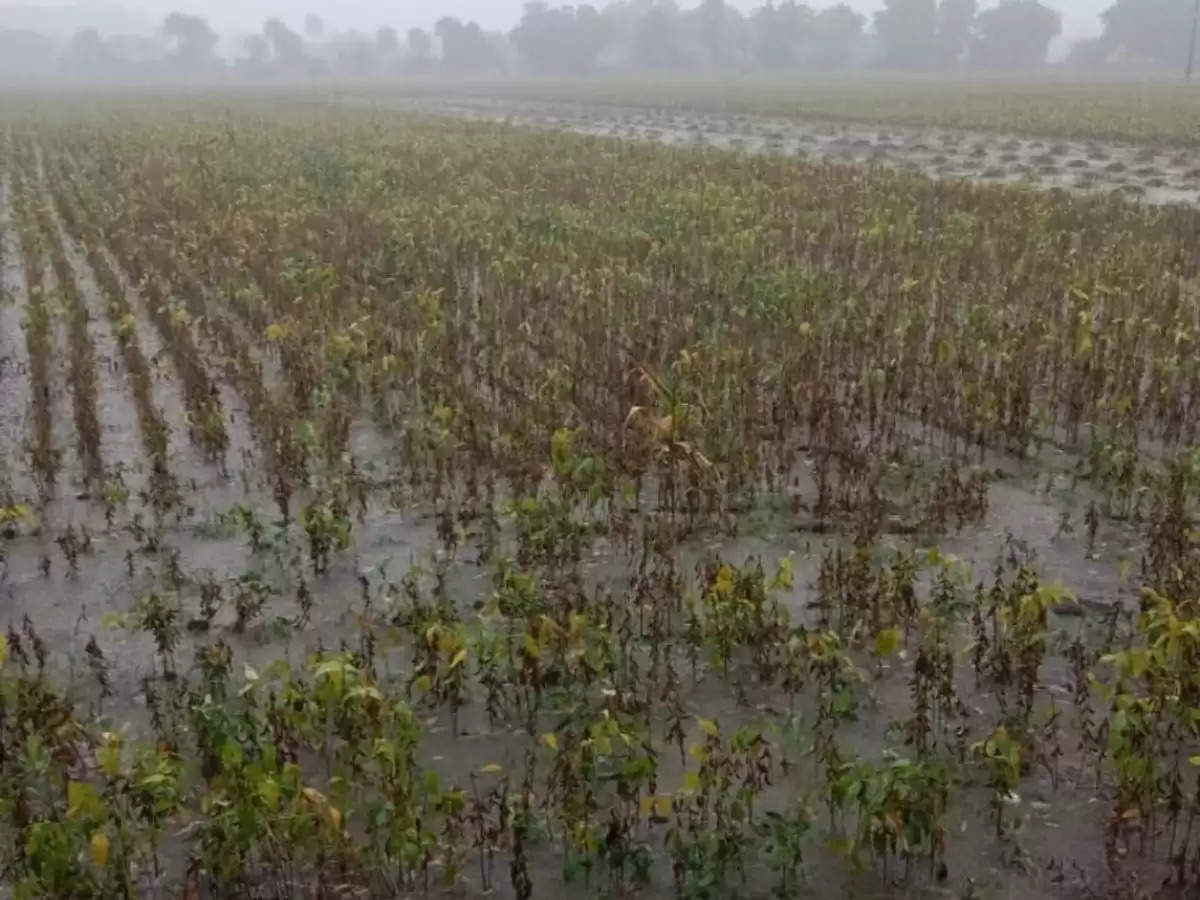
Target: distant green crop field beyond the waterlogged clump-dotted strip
[{"x": 1151, "y": 112}]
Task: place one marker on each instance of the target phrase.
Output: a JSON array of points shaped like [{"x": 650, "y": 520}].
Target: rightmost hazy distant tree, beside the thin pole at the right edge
[{"x": 1156, "y": 32}]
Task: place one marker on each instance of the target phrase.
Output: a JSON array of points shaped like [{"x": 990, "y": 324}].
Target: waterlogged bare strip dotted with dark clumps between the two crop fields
[{"x": 1154, "y": 175}]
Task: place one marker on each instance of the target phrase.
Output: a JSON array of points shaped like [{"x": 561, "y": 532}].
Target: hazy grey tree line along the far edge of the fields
[{"x": 633, "y": 35}]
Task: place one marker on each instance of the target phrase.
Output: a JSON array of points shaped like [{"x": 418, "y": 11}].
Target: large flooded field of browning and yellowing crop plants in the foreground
[{"x": 411, "y": 506}]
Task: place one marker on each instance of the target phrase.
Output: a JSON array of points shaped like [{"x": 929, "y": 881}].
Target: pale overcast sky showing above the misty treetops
[{"x": 1079, "y": 16}]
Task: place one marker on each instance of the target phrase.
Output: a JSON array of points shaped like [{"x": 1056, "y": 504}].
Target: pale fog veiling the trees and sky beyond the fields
[{"x": 274, "y": 40}]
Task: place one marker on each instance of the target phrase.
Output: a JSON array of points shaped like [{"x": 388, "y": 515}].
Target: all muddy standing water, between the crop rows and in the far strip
[{"x": 1035, "y": 513}]
